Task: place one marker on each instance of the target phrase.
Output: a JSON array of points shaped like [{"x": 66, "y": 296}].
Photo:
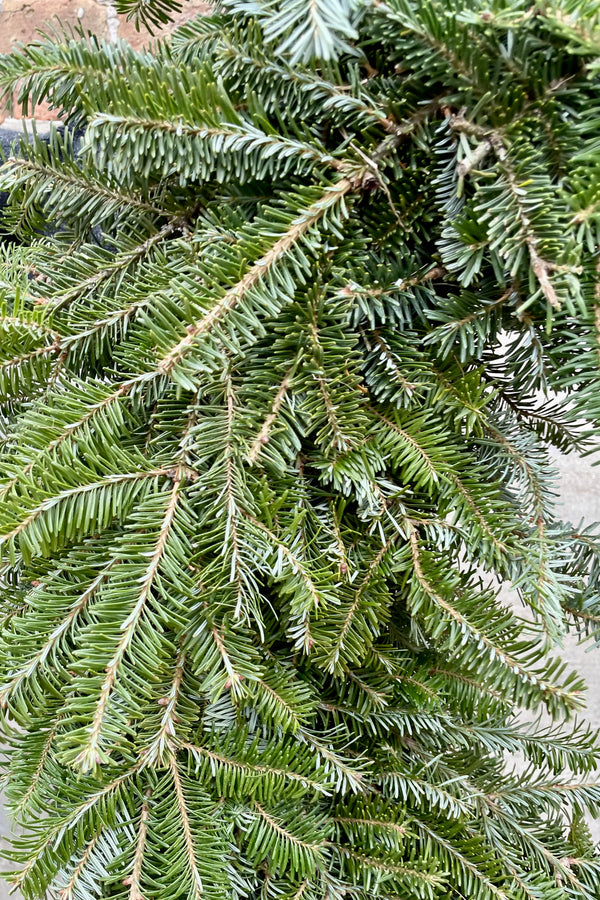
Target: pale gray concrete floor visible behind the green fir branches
[{"x": 579, "y": 499}]
